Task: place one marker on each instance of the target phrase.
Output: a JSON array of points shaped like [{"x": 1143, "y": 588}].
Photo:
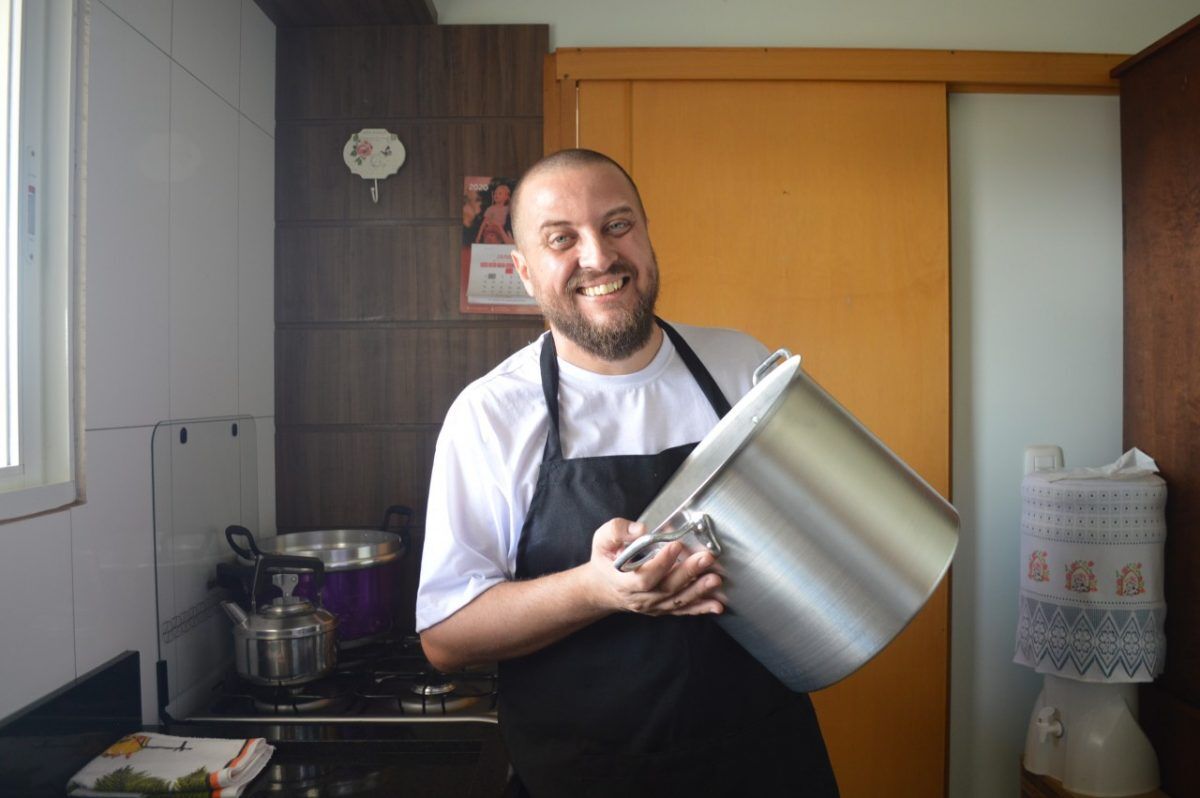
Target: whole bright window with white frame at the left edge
[{"x": 39, "y": 297}]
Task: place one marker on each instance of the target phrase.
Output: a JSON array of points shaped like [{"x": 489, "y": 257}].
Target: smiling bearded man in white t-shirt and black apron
[{"x": 611, "y": 683}]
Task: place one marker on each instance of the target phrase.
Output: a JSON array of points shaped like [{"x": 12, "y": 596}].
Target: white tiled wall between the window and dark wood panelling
[{"x": 179, "y": 320}]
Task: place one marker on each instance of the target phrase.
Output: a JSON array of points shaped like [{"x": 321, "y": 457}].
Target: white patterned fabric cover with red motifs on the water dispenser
[{"x": 1091, "y": 598}]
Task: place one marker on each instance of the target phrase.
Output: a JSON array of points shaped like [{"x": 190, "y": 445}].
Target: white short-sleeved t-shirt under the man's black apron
[{"x": 485, "y": 467}]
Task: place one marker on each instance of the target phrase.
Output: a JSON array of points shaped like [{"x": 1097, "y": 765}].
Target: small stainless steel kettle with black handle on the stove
[{"x": 289, "y": 641}]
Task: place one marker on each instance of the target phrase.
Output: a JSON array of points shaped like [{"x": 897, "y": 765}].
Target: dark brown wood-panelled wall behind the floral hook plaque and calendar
[{"x": 370, "y": 347}]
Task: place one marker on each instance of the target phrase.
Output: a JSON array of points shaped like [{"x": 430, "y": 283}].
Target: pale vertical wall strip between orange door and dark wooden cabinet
[{"x": 1037, "y": 358}]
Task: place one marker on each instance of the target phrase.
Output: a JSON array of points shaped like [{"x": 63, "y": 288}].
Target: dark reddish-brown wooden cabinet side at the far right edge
[{"x": 1161, "y": 182}]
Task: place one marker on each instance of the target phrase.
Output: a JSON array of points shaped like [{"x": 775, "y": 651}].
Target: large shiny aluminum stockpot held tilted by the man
[{"x": 827, "y": 543}]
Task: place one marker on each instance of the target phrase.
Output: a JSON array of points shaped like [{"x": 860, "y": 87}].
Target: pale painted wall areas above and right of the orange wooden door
[{"x": 1036, "y": 251}]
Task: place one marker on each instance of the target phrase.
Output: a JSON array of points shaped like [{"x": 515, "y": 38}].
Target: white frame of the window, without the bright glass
[{"x": 47, "y": 185}]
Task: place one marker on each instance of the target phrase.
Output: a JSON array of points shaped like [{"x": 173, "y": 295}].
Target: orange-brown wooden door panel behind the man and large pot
[{"x": 814, "y": 215}]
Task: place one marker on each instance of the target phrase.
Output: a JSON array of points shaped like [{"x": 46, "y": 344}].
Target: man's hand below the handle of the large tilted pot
[{"x": 663, "y": 585}]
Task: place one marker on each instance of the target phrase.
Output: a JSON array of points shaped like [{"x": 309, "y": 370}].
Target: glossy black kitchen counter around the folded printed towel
[{"x": 49, "y": 742}]
